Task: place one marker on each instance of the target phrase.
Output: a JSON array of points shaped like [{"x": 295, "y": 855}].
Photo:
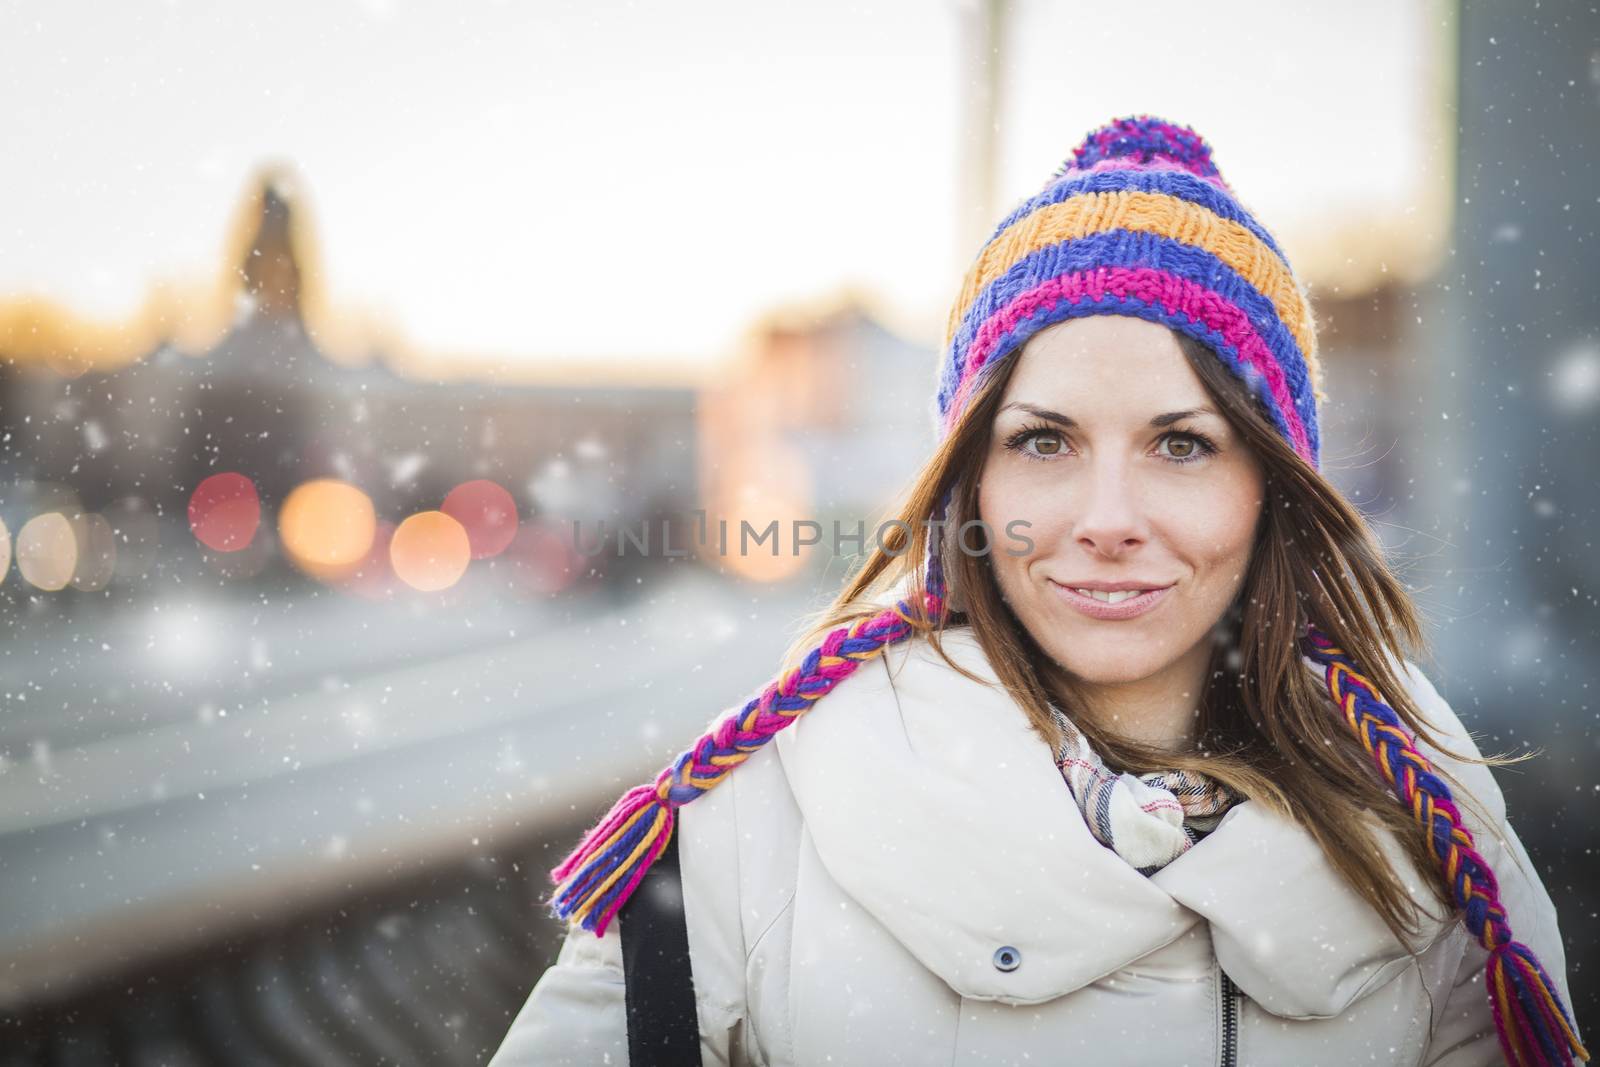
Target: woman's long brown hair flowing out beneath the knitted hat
[{"x": 1268, "y": 727}]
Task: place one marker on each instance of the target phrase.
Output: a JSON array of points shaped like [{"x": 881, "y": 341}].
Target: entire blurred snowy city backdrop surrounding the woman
[{"x": 326, "y": 327}]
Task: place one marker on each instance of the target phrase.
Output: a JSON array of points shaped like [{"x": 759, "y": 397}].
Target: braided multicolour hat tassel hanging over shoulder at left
[{"x": 609, "y": 865}]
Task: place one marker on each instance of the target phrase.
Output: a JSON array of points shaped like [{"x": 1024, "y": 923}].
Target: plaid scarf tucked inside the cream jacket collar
[{"x": 1148, "y": 820}]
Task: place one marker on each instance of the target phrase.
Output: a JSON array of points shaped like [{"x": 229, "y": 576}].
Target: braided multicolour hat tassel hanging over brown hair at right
[{"x": 1534, "y": 1025}]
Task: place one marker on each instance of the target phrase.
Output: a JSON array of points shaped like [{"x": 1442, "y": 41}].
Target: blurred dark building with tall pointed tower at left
[{"x": 266, "y": 401}]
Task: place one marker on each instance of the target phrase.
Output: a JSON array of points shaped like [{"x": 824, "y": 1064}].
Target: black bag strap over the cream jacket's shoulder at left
[{"x": 663, "y": 1029}]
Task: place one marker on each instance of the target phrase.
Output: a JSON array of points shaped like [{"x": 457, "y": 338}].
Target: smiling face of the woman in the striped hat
[{"x": 1113, "y": 455}]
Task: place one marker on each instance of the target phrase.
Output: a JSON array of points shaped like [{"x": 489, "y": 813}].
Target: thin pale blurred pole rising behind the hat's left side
[{"x": 983, "y": 25}]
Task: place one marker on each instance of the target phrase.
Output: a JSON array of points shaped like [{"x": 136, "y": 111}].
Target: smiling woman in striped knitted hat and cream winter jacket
[{"x": 1047, "y": 815}]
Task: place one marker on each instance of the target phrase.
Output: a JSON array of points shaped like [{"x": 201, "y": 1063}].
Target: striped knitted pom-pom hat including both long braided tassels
[{"x": 1138, "y": 222}]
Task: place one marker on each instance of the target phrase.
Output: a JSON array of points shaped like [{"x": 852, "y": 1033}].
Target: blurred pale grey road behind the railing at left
[{"x": 362, "y": 754}]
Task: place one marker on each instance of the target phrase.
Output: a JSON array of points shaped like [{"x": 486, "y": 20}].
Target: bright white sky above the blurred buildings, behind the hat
[{"x": 642, "y": 180}]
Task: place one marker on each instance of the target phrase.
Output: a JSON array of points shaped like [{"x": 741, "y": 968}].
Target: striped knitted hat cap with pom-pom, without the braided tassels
[{"x": 1142, "y": 223}]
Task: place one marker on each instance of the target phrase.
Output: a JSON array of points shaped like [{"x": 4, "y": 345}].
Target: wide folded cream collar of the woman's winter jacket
[{"x": 935, "y": 805}]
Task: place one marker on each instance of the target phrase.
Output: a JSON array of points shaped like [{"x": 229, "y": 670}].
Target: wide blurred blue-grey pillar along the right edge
[{"x": 1508, "y": 466}]
